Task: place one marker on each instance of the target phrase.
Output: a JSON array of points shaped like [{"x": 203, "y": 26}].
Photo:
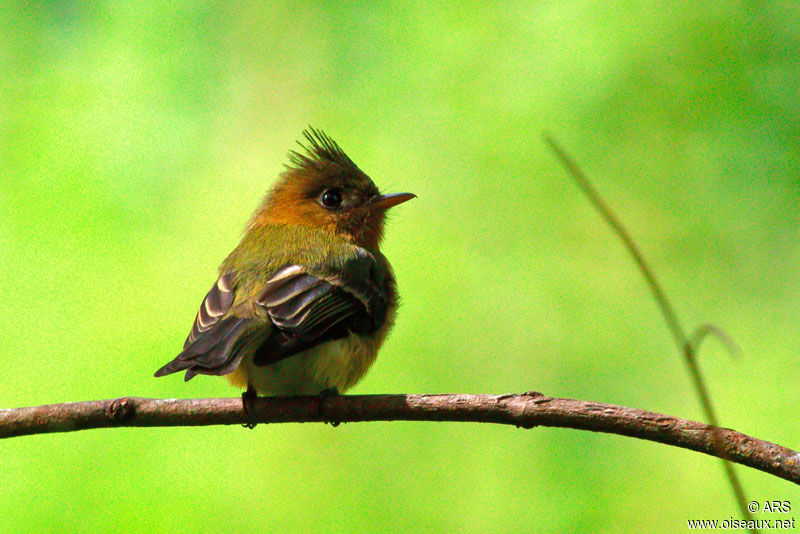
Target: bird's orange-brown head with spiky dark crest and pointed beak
[{"x": 323, "y": 188}]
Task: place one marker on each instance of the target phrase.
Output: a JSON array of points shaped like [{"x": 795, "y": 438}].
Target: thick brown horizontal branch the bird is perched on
[{"x": 526, "y": 410}]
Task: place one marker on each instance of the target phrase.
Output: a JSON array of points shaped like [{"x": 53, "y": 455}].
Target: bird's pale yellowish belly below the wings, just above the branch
[{"x": 335, "y": 364}]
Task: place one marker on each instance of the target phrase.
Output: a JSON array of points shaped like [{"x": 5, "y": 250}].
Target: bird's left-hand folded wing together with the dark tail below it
[{"x": 213, "y": 346}]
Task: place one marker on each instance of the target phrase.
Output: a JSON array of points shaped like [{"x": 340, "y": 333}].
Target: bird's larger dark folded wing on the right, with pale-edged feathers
[{"x": 308, "y": 309}]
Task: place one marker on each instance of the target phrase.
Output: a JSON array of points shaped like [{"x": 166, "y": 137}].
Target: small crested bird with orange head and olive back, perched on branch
[{"x": 304, "y": 302}]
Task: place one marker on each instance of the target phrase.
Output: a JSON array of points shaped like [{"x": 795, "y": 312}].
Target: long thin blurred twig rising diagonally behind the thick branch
[{"x": 684, "y": 344}]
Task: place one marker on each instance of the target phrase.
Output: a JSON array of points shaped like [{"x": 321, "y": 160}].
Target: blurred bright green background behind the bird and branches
[{"x": 136, "y": 139}]
